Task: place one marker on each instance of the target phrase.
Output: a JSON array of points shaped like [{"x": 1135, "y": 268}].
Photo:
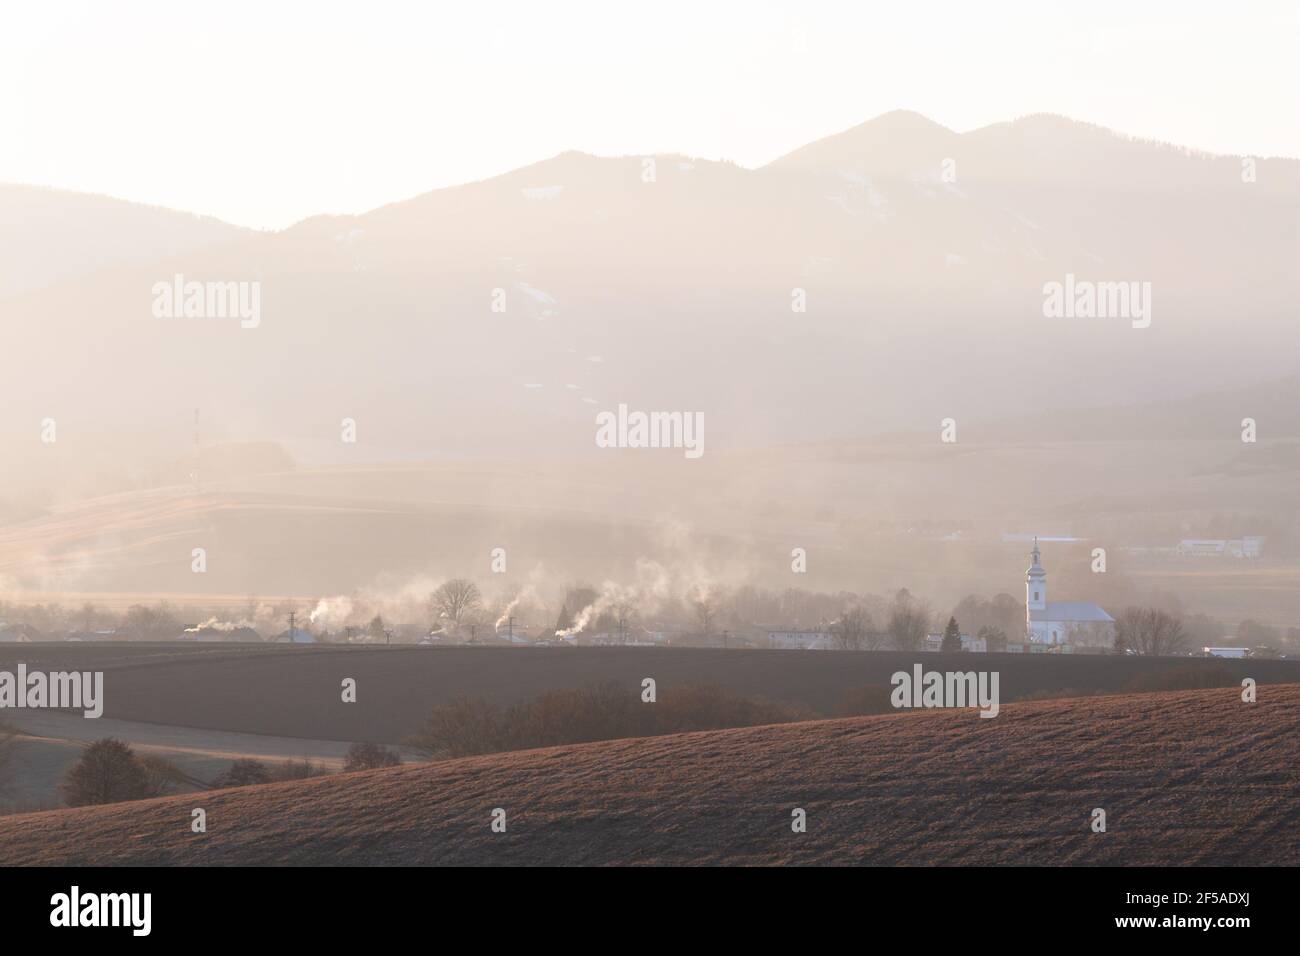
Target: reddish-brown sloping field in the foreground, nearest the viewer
[{"x": 1186, "y": 778}]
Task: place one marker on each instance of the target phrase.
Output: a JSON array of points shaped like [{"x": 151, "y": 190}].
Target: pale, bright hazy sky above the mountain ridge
[{"x": 266, "y": 113}]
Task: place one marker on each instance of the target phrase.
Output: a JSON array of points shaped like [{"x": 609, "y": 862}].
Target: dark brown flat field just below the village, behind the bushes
[{"x": 296, "y": 693}]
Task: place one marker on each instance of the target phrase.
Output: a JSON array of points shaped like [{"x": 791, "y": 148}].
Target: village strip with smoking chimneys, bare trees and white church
[{"x": 705, "y": 618}]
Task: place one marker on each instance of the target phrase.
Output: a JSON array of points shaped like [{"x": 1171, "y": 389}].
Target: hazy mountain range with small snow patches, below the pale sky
[{"x": 668, "y": 283}]
